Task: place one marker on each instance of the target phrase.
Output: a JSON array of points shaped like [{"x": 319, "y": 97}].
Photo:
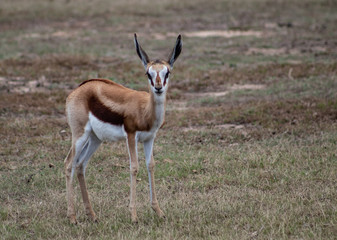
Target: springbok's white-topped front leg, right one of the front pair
[{"x": 148, "y": 148}]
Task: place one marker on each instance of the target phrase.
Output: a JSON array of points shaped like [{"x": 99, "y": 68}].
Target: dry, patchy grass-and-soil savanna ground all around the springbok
[{"x": 248, "y": 150}]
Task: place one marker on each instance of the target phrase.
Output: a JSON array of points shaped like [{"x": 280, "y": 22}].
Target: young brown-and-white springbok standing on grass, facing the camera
[{"x": 101, "y": 110}]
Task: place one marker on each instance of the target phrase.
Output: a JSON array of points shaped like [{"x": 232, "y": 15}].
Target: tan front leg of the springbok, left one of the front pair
[{"x": 132, "y": 147}]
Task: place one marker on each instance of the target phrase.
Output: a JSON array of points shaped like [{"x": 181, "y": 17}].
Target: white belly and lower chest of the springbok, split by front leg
[{"x": 109, "y": 132}]
